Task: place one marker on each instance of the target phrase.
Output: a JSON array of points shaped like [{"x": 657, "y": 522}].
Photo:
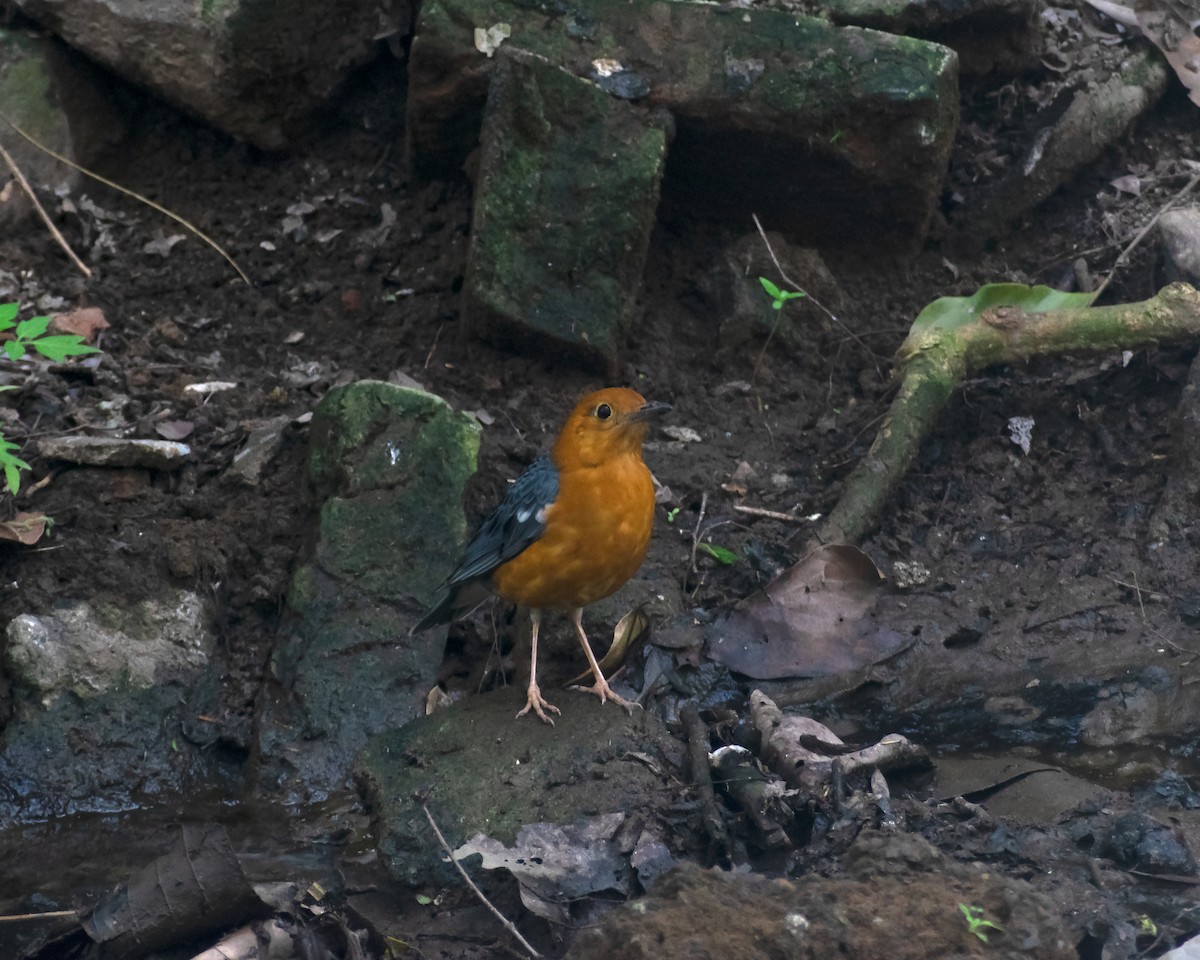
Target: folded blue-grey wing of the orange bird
[{"x": 518, "y": 523}]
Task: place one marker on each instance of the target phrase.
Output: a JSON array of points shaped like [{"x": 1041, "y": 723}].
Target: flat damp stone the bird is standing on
[{"x": 482, "y": 770}]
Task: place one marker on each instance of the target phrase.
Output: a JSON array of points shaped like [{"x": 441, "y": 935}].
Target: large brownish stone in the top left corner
[{"x": 256, "y": 69}]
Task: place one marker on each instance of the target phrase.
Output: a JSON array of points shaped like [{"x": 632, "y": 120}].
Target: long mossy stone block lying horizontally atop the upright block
[{"x": 829, "y": 133}]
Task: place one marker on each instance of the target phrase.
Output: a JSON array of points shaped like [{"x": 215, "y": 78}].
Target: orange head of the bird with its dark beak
[{"x": 604, "y": 425}]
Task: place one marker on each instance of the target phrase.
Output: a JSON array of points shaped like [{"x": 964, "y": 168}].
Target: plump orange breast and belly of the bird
[{"x": 597, "y": 535}]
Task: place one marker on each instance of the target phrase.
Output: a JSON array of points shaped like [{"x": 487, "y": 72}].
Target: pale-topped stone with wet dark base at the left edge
[{"x": 104, "y": 699}]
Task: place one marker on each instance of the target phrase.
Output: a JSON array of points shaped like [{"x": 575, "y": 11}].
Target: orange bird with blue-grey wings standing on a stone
[{"x": 573, "y": 529}]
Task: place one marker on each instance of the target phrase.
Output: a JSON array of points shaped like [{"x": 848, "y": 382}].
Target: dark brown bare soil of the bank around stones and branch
[{"x": 345, "y": 301}]
